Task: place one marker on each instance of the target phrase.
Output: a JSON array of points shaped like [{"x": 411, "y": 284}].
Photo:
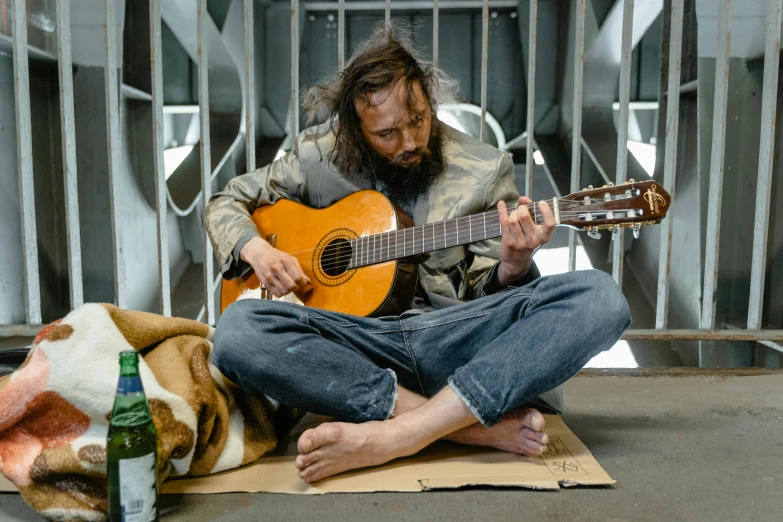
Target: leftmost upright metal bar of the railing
[{"x": 24, "y": 144}]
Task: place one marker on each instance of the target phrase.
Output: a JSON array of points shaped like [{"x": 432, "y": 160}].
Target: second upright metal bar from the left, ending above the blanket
[{"x": 68, "y": 132}]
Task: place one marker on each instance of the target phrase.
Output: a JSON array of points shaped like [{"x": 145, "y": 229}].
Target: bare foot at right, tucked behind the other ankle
[{"x": 520, "y": 431}]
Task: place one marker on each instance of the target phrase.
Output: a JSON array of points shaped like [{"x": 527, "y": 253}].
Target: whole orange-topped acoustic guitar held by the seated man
[{"x": 361, "y": 253}]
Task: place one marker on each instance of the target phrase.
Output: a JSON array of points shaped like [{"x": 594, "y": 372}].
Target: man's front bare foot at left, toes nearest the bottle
[{"x": 334, "y": 447}]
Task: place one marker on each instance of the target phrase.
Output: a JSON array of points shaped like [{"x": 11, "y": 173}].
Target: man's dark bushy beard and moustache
[{"x": 405, "y": 182}]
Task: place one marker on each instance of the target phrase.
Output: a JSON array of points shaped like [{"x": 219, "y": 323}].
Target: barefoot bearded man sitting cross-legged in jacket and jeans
[{"x": 486, "y": 335}]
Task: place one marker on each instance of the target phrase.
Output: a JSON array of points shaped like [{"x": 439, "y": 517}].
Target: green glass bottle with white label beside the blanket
[{"x": 131, "y": 449}]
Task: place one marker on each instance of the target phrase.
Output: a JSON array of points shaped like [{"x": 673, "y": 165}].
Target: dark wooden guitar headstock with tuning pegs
[{"x": 611, "y": 207}]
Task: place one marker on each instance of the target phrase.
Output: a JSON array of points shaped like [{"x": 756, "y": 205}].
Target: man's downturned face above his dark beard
[{"x": 395, "y": 131}]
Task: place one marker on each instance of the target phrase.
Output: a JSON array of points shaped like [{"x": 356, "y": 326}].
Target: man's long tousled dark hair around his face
[{"x": 382, "y": 61}]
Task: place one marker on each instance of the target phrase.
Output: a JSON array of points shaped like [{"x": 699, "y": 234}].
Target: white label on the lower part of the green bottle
[{"x": 138, "y": 490}]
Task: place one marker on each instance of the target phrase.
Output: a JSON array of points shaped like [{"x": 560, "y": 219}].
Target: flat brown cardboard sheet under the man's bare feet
[{"x": 441, "y": 466}]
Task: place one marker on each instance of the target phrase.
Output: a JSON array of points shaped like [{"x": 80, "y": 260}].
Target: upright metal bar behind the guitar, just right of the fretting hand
[{"x": 576, "y": 132}]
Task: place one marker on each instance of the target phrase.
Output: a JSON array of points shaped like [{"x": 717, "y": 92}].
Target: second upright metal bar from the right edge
[{"x": 716, "y": 166}]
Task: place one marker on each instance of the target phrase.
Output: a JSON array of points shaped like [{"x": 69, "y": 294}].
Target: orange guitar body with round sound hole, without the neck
[{"x": 318, "y": 239}]
